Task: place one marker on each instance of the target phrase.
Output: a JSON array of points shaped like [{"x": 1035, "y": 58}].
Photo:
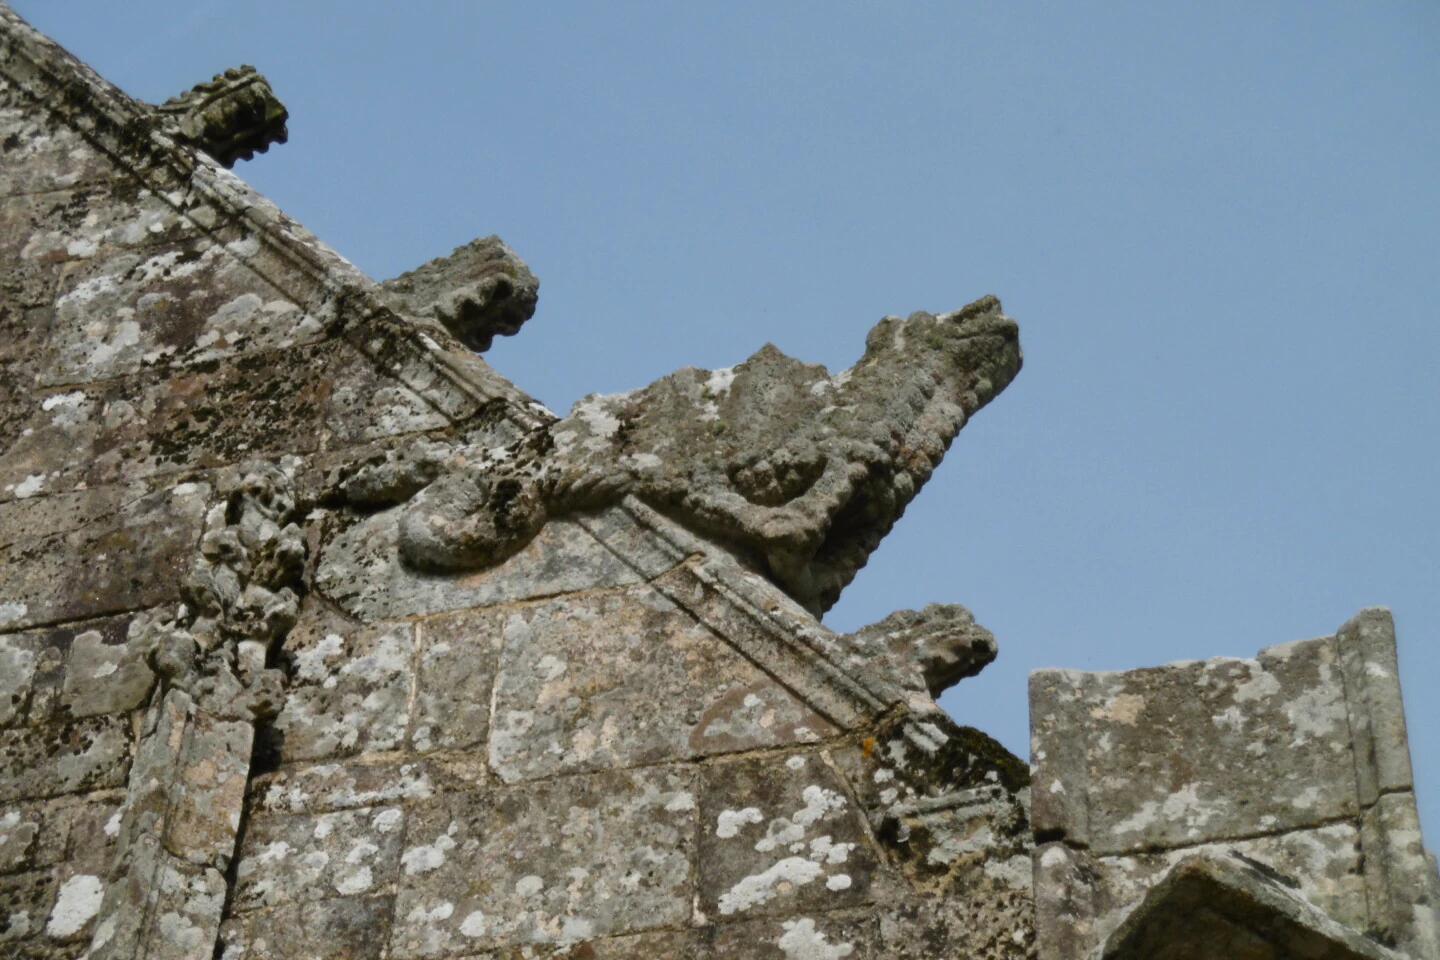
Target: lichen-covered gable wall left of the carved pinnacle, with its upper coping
[{"x": 159, "y": 327}]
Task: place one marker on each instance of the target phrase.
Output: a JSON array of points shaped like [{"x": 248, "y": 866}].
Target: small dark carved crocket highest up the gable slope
[{"x": 233, "y": 117}]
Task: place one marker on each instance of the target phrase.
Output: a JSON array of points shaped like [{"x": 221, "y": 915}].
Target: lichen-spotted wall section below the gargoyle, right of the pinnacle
[{"x": 616, "y": 745}]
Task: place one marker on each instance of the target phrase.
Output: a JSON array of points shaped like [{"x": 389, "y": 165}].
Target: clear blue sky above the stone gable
[{"x": 1218, "y": 225}]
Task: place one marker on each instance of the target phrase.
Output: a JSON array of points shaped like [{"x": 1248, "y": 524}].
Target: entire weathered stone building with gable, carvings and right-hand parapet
[{"x": 319, "y": 638}]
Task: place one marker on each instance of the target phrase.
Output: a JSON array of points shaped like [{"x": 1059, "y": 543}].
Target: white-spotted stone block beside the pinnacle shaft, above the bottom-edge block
[{"x": 302, "y": 859}]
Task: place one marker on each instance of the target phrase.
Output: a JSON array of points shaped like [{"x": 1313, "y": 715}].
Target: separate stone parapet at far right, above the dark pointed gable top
[{"x": 1295, "y": 761}]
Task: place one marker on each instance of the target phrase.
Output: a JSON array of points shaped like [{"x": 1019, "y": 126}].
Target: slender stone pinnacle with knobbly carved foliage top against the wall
[{"x": 178, "y": 828}]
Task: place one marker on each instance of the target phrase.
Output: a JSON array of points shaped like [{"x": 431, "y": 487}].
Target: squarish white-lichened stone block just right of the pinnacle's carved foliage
[{"x": 351, "y": 687}]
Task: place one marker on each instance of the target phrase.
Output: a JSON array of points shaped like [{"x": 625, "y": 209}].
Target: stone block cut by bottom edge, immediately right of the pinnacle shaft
[{"x": 339, "y": 929}]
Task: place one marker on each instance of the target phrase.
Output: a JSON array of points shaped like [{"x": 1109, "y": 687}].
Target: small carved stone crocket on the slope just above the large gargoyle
[{"x": 480, "y": 291}]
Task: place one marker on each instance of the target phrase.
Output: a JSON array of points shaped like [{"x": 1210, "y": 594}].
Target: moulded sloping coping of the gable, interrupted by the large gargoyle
[{"x": 748, "y": 612}]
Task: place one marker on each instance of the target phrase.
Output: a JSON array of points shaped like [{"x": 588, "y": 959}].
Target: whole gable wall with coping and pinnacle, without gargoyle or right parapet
[{"x": 235, "y": 720}]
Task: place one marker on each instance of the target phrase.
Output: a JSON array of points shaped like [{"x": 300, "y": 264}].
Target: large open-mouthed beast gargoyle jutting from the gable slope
[{"x": 800, "y": 471}]
